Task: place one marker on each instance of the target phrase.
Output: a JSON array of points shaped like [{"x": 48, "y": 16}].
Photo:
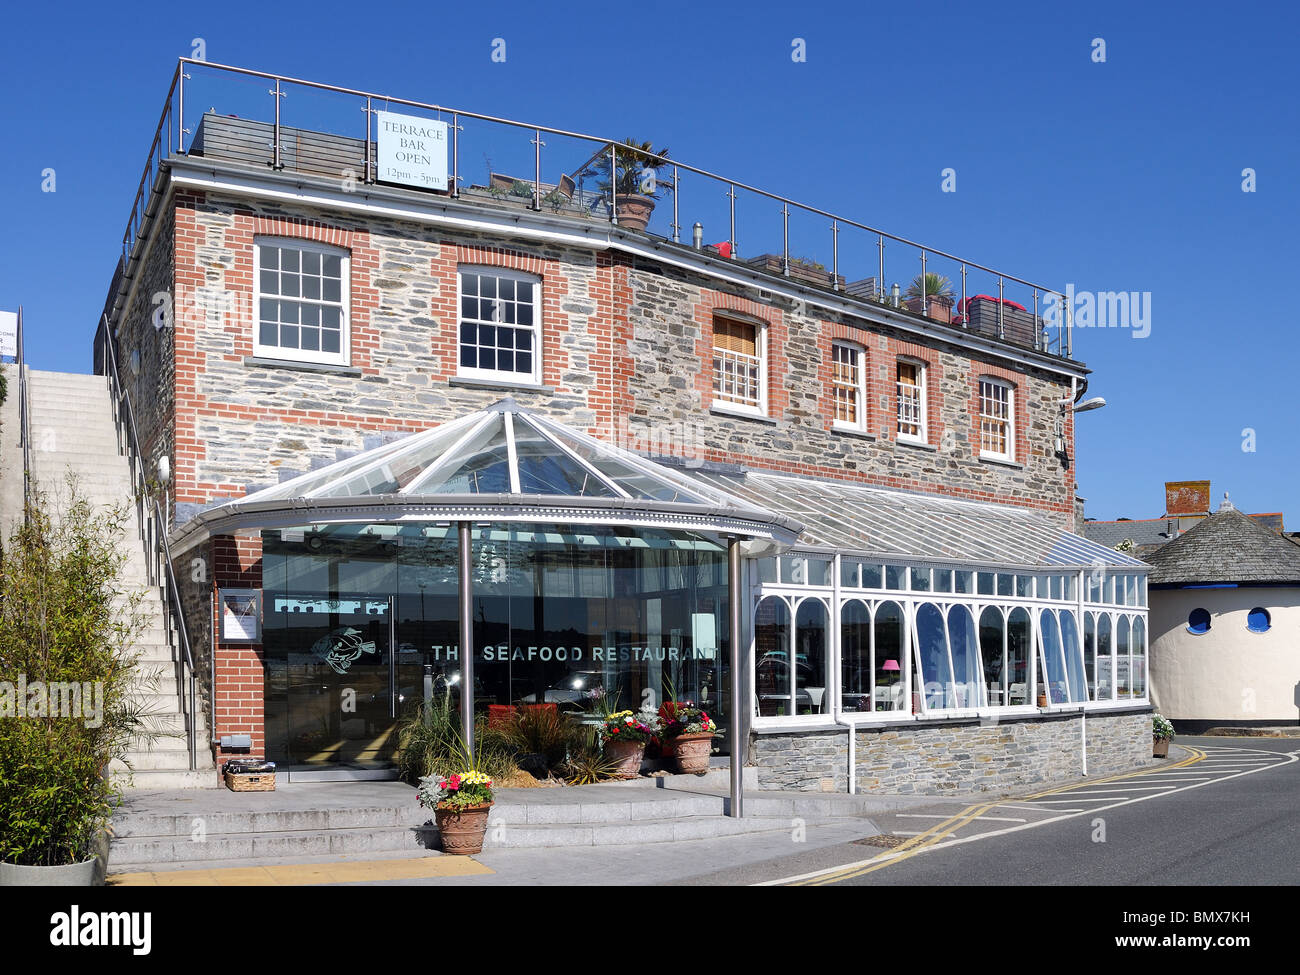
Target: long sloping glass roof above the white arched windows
[{"x": 898, "y": 525}]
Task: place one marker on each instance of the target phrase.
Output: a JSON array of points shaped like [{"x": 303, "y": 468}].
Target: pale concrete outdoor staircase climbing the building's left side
[{"x": 72, "y": 431}]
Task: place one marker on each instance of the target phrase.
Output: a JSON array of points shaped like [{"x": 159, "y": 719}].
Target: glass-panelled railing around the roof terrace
[{"x": 574, "y": 179}]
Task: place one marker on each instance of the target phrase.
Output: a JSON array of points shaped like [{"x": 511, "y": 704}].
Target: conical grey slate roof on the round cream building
[{"x": 1229, "y": 547}]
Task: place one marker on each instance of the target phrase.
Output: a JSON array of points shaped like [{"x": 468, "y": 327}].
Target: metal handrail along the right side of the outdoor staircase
[{"x": 153, "y": 527}]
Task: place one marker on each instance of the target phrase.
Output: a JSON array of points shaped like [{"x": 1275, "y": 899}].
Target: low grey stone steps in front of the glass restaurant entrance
[{"x": 305, "y": 821}]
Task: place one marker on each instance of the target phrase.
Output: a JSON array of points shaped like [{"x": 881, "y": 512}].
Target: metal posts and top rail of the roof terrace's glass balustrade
[{"x": 163, "y": 137}]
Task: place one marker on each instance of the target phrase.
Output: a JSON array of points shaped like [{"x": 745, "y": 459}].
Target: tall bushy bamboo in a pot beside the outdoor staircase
[{"x": 67, "y": 623}]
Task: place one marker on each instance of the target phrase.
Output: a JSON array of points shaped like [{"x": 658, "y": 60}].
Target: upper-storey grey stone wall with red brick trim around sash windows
[{"x": 627, "y": 354}]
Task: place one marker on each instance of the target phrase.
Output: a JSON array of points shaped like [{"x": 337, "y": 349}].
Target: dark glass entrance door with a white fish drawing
[{"x": 331, "y": 684}]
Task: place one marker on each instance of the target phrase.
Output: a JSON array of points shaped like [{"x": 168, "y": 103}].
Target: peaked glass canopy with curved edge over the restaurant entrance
[{"x": 499, "y": 465}]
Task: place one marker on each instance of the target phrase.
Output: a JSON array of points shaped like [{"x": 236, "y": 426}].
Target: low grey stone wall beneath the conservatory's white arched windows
[{"x": 935, "y": 760}]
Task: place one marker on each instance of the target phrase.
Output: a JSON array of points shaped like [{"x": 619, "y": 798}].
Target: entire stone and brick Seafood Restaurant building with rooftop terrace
[{"x": 513, "y": 440}]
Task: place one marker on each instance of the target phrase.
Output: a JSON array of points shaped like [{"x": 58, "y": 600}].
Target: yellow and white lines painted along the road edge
[{"x": 933, "y": 839}]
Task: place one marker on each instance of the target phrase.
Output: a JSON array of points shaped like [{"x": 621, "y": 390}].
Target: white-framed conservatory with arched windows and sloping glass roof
[{"x": 898, "y": 606}]
